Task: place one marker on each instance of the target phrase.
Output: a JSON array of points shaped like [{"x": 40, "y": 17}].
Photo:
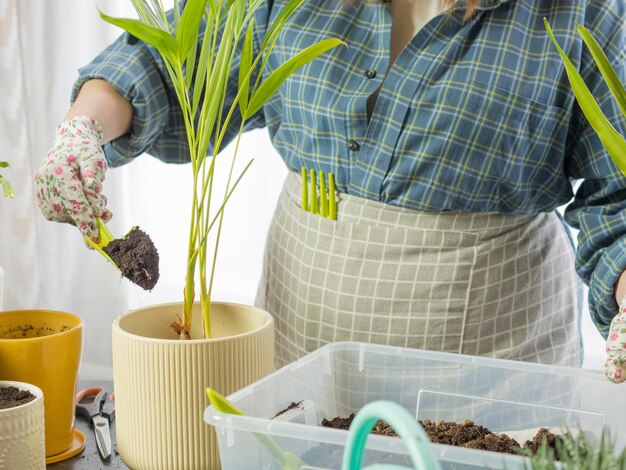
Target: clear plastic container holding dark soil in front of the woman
[{"x": 338, "y": 379}]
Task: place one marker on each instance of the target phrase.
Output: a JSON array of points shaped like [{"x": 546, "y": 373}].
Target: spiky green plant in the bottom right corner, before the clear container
[{"x": 578, "y": 453}]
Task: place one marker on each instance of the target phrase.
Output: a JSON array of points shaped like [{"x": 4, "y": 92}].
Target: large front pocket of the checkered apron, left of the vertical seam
[{"x": 328, "y": 281}]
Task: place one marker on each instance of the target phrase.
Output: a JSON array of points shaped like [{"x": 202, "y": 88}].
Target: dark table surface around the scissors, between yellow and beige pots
[{"x": 89, "y": 459}]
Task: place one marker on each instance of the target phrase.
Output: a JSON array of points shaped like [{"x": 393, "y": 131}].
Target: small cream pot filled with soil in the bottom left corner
[{"x": 22, "y": 437}]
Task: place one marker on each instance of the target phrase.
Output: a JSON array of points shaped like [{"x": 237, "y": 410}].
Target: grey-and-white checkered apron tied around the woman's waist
[{"x": 484, "y": 284}]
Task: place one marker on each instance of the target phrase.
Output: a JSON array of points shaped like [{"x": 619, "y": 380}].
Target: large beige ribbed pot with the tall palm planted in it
[{"x": 160, "y": 381}]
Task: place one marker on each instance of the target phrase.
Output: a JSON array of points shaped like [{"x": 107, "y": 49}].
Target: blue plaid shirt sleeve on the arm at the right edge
[{"x": 599, "y": 207}]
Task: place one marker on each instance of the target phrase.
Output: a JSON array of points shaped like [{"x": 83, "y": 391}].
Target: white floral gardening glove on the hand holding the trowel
[{"x": 68, "y": 184}]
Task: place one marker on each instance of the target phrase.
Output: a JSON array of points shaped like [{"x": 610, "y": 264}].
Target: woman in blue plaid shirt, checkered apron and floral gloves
[{"x": 453, "y": 136}]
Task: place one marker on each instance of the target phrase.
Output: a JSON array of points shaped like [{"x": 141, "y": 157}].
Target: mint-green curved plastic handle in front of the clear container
[{"x": 404, "y": 424}]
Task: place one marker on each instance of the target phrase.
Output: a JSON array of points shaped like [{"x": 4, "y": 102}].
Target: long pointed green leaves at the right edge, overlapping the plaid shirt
[{"x": 612, "y": 140}]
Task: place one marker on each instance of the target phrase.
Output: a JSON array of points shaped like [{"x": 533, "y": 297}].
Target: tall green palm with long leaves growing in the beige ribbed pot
[{"x": 199, "y": 66}]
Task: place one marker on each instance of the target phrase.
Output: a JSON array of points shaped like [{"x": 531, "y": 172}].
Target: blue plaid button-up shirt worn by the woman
[{"x": 473, "y": 116}]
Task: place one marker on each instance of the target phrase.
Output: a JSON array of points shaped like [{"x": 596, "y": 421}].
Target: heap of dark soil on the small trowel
[{"x": 137, "y": 258}]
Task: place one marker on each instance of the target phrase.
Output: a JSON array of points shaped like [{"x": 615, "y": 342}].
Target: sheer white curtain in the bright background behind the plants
[{"x": 42, "y": 45}]
